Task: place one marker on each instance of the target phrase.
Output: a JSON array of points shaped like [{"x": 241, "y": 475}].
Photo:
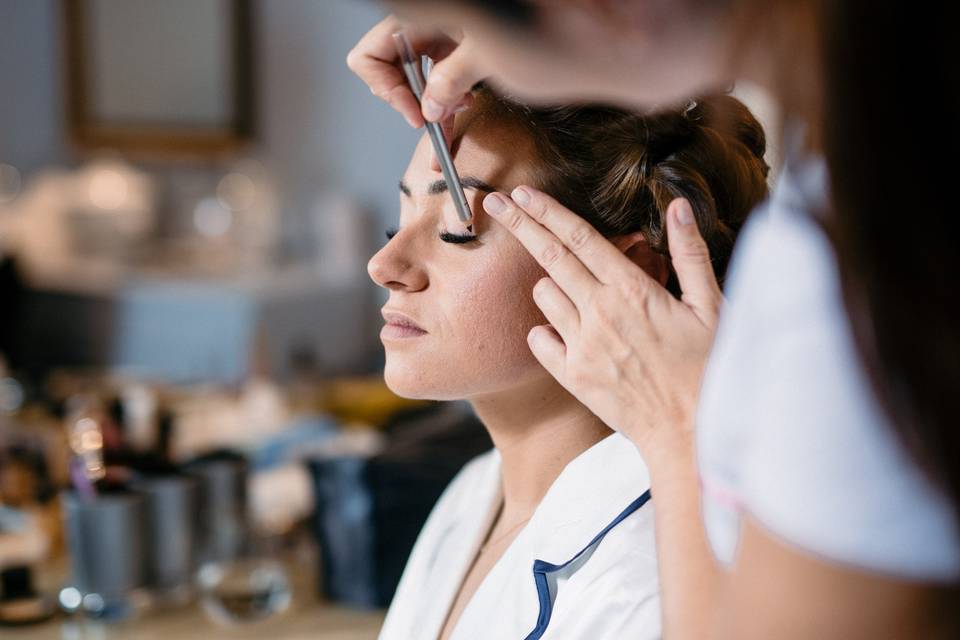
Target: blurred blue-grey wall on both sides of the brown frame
[{"x": 320, "y": 128}]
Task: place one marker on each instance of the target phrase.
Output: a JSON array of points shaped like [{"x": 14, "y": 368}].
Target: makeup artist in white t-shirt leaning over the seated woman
[{"x": 804, "y": 475}]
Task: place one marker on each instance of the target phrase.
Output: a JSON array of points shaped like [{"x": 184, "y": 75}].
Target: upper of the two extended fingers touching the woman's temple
[{"x": 597, "y": 253}]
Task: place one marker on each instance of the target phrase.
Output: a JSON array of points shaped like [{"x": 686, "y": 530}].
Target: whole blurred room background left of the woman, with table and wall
[{"x": 194, "y": 437}]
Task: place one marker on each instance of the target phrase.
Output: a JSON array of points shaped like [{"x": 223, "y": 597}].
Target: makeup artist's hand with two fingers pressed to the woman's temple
[{"x": 617, "y": 340}]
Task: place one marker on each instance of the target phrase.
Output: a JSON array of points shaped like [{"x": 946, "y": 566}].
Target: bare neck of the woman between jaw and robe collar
[{"x": 538, "y": 428}]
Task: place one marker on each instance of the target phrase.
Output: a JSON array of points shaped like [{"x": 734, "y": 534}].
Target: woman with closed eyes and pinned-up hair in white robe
[{"x": 550, "y": 534}]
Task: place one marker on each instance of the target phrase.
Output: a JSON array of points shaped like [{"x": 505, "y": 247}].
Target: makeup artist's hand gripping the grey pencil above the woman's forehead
[{"x": 375, "y": 60}]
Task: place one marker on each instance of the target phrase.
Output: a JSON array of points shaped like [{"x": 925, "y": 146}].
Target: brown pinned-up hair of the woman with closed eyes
[{"x": 619, "y": 170}]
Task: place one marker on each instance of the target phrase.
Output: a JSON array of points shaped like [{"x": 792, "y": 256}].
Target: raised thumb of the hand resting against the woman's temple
[{"x": 691, "y": 262}]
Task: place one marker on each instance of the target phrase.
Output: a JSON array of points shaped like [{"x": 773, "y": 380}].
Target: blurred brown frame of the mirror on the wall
[{"x": 86, "y": 134}]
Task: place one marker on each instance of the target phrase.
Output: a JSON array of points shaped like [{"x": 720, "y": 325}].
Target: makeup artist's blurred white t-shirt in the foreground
[{"x": 789, "y": 430}]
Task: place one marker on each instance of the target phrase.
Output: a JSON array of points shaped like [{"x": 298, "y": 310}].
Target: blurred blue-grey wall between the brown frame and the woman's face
[{"x": 321, "y": 125}]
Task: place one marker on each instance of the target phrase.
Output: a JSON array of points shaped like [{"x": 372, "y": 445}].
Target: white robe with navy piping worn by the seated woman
[{"x": 591, "y": 538}]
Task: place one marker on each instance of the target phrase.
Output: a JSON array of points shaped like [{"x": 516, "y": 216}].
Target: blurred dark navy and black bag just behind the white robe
[{"x": 369, "y": 511}]
